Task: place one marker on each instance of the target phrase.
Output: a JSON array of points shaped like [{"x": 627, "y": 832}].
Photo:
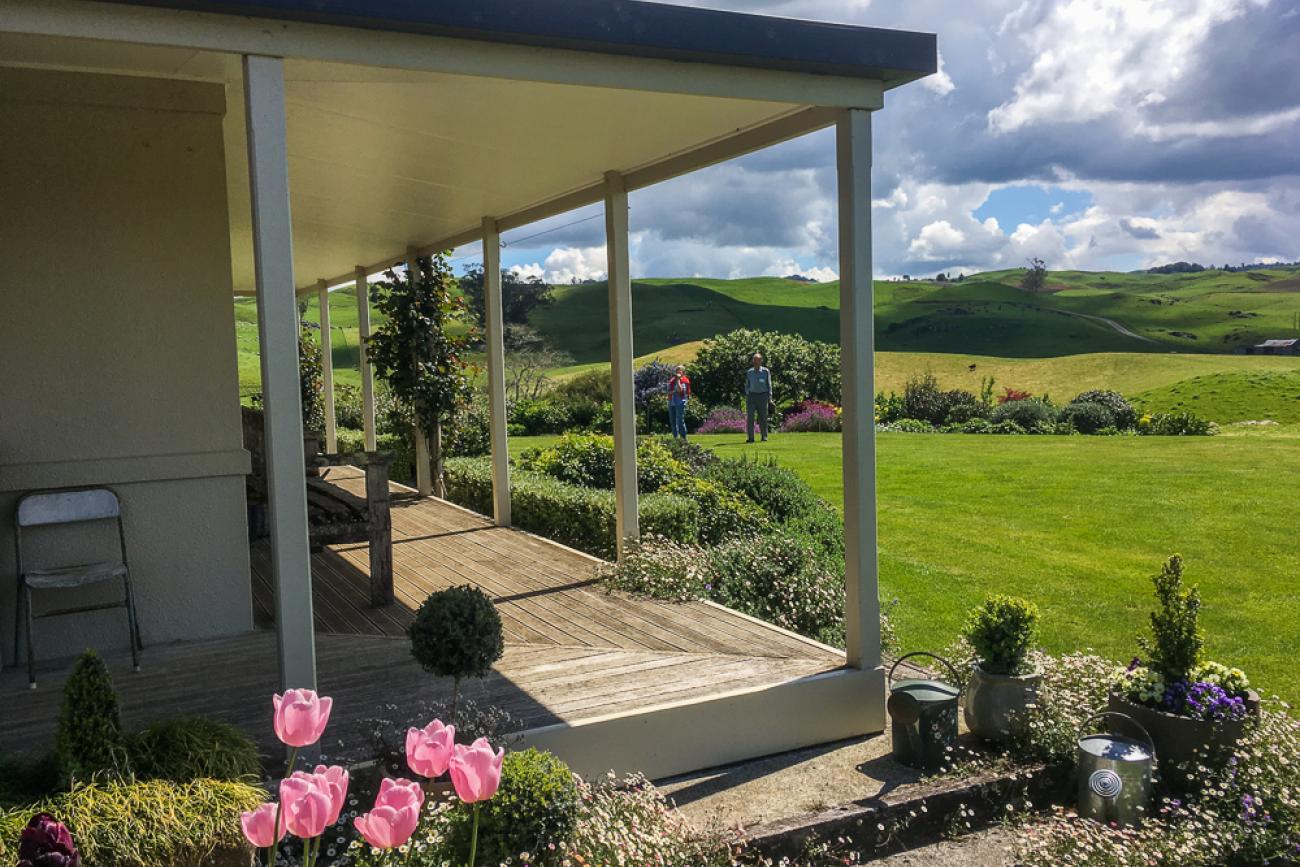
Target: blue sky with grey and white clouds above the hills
[{"x": 1098, "y": 135}]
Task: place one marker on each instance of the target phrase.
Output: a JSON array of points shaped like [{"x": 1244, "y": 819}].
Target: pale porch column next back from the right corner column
[{"x": 621, "y": 359}]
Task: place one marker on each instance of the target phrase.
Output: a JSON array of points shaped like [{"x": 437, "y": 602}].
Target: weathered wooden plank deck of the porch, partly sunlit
[{"x": 574, "y": 652}]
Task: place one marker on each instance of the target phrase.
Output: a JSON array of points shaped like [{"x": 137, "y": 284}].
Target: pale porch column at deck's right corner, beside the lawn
[{"x": 857, "y": 349}]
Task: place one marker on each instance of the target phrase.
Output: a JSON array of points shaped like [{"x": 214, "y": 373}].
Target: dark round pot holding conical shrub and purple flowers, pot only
[{"x": 1185, "y": 743}]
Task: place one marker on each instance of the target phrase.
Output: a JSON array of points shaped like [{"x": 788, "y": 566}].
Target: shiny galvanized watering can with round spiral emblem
[{"x": 1115, "y": 773}]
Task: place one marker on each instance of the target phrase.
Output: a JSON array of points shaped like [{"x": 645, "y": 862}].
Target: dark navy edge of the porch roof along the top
[{"x": 631, "y": 28}]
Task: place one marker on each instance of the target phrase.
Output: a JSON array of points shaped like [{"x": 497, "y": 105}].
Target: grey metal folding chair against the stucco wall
[{"x": 63, "y": 508}]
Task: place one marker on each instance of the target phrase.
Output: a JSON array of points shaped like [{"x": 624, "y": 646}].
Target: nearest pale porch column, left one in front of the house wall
[{"x": 278, "y": 337}]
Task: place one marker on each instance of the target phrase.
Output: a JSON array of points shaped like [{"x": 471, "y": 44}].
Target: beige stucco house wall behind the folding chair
[{"x": 118, "y": 359}]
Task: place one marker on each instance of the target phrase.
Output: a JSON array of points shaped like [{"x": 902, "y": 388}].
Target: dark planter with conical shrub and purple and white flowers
[{"x": 1194, "y": 709}]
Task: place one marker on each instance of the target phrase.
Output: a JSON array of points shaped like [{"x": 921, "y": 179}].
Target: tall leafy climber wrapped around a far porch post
[{"x": 421, "y": 349}]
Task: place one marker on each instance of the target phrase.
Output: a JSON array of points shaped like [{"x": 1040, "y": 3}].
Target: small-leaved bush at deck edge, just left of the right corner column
[{"x": 781, "y": 579}]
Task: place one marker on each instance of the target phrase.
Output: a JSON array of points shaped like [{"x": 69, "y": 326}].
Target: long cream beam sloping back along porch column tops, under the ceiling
[{"x": 756, "y": 138}]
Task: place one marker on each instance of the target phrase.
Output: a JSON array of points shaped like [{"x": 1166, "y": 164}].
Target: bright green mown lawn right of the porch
[{"x": 1078, "y": 524}]
